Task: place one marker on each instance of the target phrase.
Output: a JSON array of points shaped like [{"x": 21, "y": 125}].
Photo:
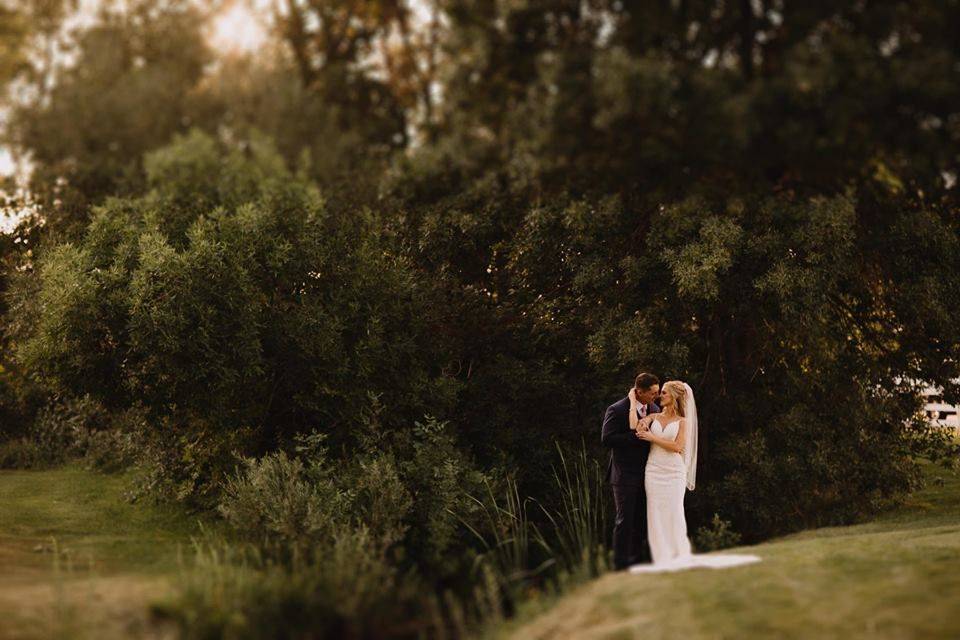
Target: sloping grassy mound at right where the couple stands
[{"x": 895, "y": 577}]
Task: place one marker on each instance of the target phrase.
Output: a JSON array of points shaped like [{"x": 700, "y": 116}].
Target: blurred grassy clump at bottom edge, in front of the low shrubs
[{"x": 341, "y": 589}]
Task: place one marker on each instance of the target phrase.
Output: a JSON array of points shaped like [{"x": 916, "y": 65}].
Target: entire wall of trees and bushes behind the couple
[{"x": 441, "y": 235}]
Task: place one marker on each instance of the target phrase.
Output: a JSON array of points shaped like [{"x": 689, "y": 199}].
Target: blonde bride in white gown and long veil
[{"x": 672, "y": 470}]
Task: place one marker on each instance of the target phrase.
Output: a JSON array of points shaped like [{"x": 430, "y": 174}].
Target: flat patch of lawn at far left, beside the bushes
[{"x": 77, "y": 560}]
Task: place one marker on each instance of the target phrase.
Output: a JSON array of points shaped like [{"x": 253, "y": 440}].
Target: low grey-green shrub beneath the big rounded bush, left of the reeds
[{"x": 403, "y": 497}]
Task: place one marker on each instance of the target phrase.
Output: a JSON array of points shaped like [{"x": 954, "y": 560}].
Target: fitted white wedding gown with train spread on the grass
[{"x": 666, "y": 484}]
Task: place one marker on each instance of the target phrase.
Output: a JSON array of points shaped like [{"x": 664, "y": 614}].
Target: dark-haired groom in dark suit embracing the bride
[{"x": 625, "y": 471}]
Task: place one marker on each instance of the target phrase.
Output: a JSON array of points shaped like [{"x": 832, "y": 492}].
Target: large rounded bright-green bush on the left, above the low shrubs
[{"x": 208, "y": 310}]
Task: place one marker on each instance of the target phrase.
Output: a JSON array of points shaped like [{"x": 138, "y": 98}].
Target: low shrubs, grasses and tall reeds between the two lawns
[{"x": 334, "y": 549}]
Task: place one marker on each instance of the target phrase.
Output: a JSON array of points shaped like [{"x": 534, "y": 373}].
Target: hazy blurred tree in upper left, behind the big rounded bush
[{"x": 127, "y": 90}]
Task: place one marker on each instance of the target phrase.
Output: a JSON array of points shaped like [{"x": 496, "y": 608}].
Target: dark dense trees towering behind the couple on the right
[{"x": 738, "y": 194}]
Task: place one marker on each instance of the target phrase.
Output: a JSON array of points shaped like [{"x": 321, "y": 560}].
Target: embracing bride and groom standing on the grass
[{"x": 652, "y": 437}]
